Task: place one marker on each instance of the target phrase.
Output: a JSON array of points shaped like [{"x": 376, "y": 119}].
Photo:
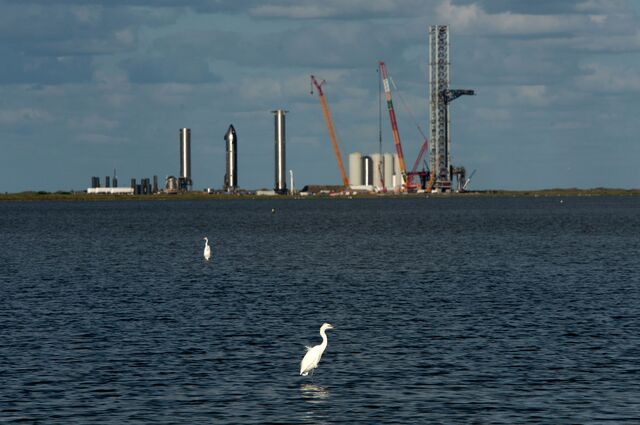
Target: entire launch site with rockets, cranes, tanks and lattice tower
[{"x": 432, "y": 171}]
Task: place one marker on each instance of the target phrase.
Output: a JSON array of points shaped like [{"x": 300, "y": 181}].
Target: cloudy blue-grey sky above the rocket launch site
[{"x": 89, "y": 86}]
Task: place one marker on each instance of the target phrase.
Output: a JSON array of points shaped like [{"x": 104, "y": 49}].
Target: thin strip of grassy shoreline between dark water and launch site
[{"x": 195, "y": 196}]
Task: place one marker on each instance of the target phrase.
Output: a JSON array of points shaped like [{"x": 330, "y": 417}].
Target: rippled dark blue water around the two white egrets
[{"x": 522, "y": 310}]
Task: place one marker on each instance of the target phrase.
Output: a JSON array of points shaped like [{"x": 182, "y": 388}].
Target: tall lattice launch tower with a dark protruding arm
[{"x": 440, "y": 95}]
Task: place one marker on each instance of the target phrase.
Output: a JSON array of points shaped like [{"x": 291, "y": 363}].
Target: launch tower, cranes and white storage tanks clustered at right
[{"x": 432, "y": 170}]
